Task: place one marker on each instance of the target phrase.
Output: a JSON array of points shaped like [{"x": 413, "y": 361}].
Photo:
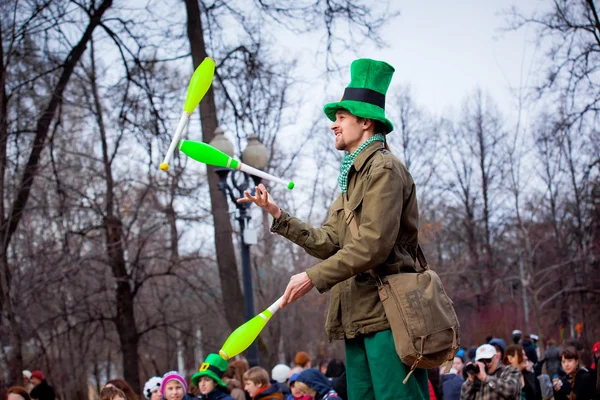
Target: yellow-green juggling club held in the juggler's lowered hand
[{"x": 242, "y": 337}]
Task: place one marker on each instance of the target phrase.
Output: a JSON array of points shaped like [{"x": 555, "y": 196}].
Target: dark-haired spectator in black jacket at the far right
[{"x": 577, "y": 383}]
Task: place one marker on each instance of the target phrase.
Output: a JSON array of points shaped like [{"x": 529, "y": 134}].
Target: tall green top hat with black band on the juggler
[{"x": 365, "y": 95}]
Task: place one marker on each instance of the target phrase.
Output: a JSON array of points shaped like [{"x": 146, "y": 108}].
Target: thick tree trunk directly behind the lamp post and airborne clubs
[{"x": 228, "y": 272}]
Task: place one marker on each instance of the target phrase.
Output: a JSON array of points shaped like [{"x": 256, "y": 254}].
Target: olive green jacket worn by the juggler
[{"x": 382, "y": 198}]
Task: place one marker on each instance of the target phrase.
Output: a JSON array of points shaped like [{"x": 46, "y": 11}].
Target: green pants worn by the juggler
[{"x": 374, "y": 371}]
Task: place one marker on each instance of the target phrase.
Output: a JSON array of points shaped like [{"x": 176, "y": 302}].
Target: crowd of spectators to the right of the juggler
[{"x": 519, "y": 371}]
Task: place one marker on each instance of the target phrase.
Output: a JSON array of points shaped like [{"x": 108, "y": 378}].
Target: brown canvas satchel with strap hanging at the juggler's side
[{"x": 421, "y": 315}]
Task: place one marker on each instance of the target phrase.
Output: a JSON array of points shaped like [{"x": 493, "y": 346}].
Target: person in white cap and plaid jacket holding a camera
[{"x": 489, "y": 379}]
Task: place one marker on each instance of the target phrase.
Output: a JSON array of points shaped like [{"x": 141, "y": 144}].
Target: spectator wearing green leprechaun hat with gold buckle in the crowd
[{"x": 208, "y": 378}]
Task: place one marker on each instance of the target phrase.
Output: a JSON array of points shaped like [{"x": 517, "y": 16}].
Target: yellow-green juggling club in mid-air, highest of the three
[{"x": 197, "y": 88}]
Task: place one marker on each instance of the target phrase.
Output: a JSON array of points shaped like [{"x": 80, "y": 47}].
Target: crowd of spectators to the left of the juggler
[{"x": 217, "y": 379}]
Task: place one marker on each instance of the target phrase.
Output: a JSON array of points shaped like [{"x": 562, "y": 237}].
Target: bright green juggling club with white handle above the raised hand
[{"x": 207, "y": 154}]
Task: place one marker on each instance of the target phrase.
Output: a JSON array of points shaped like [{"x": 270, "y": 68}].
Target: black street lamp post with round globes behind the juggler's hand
[{"x": 255, "y": 155}]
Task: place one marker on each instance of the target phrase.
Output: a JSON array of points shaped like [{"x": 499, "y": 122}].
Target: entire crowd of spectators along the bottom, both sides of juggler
[{"x": 489, "y": 372}]
